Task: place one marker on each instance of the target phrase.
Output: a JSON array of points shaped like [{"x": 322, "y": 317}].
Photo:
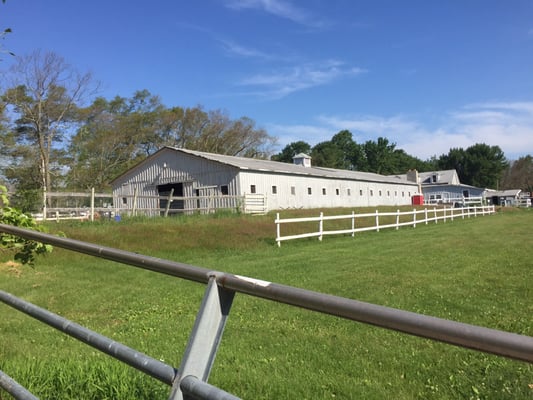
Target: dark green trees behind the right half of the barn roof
[{"x": 479, "y": 165}]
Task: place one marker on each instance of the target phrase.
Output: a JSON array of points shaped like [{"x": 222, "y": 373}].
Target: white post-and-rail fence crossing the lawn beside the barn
[{"x": 402, "y": 218}]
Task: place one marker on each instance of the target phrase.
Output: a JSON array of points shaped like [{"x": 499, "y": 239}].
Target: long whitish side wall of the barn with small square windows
[{"x": 292, "y": 191}]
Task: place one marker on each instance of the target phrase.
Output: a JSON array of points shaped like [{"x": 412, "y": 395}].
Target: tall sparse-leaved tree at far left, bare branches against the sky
[{"x": 43, "y": 96}]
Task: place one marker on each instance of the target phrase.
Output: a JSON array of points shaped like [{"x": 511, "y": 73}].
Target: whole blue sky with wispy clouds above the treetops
[{"x": 427, "y": 75}]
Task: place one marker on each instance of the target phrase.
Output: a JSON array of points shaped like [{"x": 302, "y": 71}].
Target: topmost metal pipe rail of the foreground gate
[{"x": 511, "y": 345}]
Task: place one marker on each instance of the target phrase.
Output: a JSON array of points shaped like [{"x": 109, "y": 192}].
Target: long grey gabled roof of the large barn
[{"x": 254, "y": 164}]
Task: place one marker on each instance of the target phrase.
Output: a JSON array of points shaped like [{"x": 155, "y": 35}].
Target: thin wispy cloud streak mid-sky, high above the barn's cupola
[{"x": 284, "y": 82}]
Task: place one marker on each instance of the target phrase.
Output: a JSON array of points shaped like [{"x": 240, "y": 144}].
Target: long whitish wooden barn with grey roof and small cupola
[{"x": 198, "y": 176}]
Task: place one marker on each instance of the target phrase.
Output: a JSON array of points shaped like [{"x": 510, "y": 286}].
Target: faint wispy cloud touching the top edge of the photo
[{"x": 279, "y": 8}]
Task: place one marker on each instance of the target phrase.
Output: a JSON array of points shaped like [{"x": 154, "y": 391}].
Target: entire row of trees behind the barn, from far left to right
[{"x": 50, "y": 140}]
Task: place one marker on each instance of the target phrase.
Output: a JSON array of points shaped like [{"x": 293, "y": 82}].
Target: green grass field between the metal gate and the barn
[{"x": 476, "y": 270}]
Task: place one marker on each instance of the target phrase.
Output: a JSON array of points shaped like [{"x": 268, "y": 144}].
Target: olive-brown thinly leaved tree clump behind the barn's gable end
[{"x": 116, "y": 134}]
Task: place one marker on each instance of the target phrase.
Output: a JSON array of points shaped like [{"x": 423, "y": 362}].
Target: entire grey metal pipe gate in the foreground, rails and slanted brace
[{"x": 189, "y": 381}]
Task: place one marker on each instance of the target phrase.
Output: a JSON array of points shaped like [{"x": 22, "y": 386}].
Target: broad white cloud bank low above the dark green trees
[{"x": 507, "y": 125}]
